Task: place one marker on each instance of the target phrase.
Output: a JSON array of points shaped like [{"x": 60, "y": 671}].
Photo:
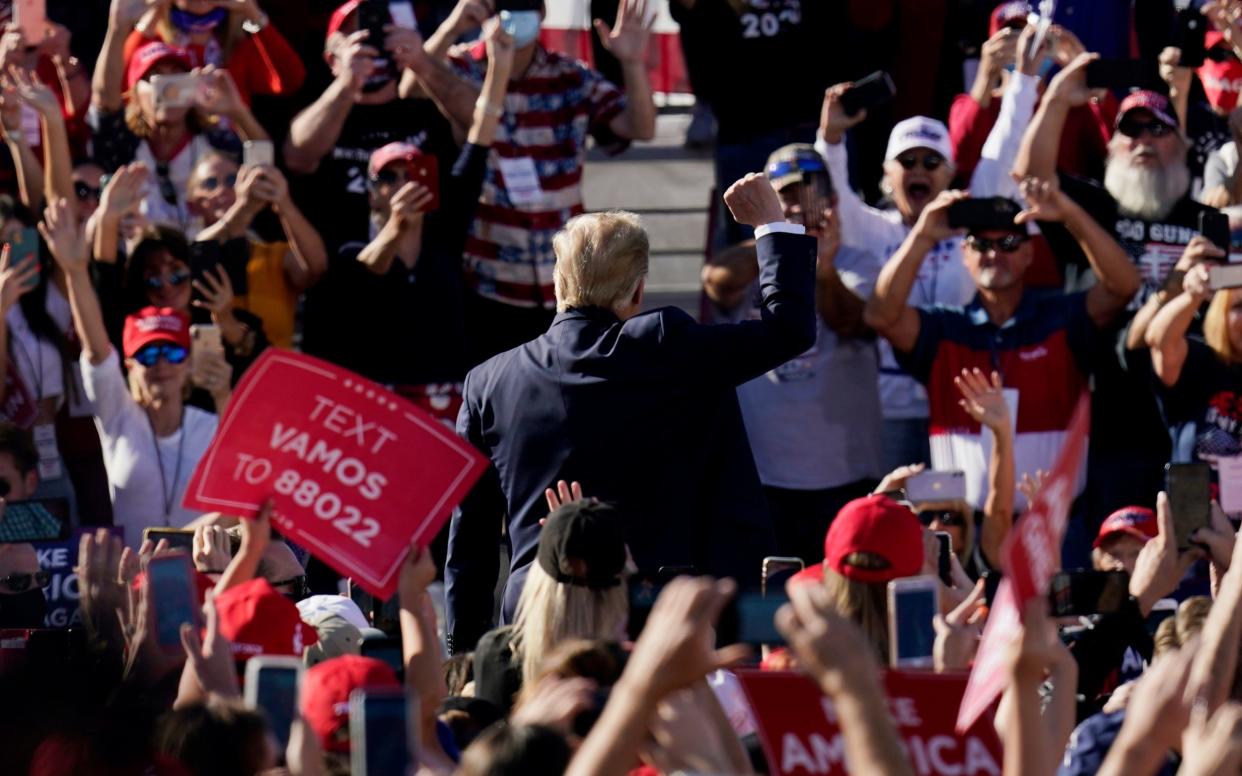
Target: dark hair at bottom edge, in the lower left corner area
[{"x": 214, "y": 738}]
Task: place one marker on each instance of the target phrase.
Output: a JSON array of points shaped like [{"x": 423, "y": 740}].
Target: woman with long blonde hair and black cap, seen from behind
[{"x": 574, "y": 590}]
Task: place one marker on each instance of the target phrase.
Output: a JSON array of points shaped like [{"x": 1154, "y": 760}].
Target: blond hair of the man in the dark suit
[{"x": 601, "y": 259}]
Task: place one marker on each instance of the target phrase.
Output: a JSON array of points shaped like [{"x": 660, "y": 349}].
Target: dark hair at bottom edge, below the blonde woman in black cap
[{"x": 505, "y": 751}]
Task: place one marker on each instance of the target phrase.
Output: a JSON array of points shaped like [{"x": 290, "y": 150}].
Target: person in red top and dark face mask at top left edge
[{"x": 235, "y": 35}]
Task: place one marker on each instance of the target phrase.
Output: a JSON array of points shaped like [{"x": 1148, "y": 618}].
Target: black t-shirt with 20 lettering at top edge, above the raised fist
[{"x": 764, "y": 66}]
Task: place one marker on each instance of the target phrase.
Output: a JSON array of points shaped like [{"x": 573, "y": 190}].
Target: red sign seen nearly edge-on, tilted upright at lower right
[{"x": 1033, "y": 556}]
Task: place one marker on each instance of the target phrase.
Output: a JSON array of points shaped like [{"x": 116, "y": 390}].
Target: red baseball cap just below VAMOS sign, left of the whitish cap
[{"x": 258, "y": 620}]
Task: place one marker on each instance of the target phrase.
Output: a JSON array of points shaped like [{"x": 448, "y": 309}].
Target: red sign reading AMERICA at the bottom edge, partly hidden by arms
[{"x": 802, "y": 736}]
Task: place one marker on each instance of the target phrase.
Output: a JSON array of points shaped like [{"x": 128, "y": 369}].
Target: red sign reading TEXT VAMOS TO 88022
[{"x": 356, "y": 471}]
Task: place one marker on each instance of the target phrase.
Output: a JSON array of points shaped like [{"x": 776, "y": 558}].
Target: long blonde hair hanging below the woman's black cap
[{"x": 552, "y": 613}]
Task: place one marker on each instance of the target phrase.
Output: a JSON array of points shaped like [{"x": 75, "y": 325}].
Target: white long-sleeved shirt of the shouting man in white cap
[{"x": 942, "y": 280}]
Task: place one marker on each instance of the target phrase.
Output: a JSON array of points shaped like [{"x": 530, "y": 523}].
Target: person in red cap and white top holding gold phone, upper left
[{"x": 134, "y": 121}]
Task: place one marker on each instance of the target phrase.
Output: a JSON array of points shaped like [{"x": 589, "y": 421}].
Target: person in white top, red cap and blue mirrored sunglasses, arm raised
[{"x": 152, "y": 440}]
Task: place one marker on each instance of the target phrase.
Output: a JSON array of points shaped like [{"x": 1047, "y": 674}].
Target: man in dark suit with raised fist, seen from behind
[{"x": 641, "y": 409}]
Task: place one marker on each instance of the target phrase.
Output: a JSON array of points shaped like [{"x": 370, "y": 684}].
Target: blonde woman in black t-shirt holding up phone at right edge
[{"x": 1200, "y": 378}]
